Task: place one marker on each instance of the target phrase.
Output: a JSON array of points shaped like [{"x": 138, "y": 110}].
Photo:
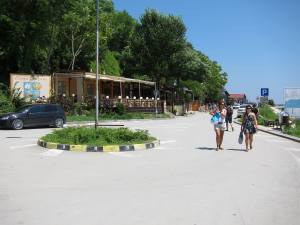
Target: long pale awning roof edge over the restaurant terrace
[{"x": 104, "y": 77}]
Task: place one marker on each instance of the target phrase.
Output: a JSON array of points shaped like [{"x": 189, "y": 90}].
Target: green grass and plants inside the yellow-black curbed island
[{"x": 99, "y": 137}]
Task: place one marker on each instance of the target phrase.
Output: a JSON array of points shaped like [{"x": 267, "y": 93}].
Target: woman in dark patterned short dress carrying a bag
[{"x": 249, "y": 126}]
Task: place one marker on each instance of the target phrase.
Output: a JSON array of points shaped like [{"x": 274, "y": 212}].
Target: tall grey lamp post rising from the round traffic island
[{"x": 97, "y": 66}]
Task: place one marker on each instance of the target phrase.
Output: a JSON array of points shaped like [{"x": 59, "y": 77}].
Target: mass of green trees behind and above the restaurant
[{"x": 46, "y": 36}]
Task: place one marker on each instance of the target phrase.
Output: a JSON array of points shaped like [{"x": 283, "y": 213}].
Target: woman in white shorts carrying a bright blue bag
[{"x": 219, "y": 115}]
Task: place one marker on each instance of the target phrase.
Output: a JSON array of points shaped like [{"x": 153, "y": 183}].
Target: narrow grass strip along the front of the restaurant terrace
[{"x": 114, "y": 116}]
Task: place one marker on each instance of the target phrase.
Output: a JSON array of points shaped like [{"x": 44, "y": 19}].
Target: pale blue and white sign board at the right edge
[{"x": 292, "y": 101}]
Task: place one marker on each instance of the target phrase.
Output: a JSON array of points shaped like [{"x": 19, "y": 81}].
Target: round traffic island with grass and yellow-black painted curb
[{"x": 84, "y": 139}]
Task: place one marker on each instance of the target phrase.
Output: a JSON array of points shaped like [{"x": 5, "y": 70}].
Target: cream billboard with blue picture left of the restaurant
[{"x": 31, "y": 87}]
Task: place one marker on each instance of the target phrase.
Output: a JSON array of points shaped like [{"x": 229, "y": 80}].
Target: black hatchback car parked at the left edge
[{"x": 34, "y": 116}]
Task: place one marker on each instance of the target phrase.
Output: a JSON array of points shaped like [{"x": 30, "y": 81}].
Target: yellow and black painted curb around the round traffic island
[{"x": 106, "y": 148}]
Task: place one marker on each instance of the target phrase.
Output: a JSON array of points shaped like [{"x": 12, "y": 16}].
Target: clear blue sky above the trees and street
[{"x": 257, "y": 42}]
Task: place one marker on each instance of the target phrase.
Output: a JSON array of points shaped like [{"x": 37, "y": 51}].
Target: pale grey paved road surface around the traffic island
[{"x": 183, "y": 182}]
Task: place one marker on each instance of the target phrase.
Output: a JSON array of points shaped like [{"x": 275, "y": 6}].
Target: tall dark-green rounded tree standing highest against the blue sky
[{"x": 156, "y": 39}]
